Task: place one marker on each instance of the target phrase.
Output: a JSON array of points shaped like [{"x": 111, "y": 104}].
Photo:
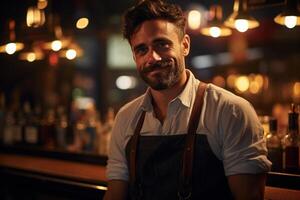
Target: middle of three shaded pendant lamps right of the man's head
[{"x": 240, "y": 18}]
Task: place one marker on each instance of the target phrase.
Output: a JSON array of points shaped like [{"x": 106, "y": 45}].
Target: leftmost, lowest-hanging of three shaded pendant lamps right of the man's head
[{"x": 215, "y": 27}]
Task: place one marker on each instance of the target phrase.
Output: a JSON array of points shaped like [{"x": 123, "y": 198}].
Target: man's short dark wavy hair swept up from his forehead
[{"x": 146, "y": 10}]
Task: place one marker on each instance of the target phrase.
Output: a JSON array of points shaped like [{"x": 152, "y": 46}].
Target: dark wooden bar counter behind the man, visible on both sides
[{"x": 36, "y": 177}]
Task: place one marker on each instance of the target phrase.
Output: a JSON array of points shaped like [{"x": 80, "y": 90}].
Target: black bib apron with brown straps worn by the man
[{"x": 159, "y": 169}]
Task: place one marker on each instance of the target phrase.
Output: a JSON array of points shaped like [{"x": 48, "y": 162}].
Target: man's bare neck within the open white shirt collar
[{"x": 161, "y": 98}]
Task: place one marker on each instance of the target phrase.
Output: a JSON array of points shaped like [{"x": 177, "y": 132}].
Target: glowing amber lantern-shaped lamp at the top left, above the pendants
[{"x": 35, "y": 17}]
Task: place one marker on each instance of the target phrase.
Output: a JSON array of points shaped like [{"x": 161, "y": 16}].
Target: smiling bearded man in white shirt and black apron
[{"x": 182, "y": 139}]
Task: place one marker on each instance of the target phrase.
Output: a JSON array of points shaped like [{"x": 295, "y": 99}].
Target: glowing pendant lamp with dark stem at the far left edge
[{"x": 11, "y": 46}]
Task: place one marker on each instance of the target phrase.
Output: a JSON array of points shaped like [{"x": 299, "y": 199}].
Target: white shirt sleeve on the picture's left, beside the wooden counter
[{"x": 117, "y": 164}]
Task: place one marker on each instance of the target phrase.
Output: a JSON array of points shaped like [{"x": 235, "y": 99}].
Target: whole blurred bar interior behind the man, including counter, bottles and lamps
[{"x": 65, "y": 70}]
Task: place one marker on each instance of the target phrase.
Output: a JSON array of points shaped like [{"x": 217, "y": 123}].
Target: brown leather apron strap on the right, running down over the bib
[{"x": 185, "y": 184}]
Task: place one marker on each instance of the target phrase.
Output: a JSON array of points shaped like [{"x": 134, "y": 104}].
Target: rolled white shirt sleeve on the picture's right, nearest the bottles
[{"x": 244, "y": 147}]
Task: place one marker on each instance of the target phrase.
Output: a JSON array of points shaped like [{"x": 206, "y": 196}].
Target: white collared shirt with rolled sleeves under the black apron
[{"x": 229, "y": 122}]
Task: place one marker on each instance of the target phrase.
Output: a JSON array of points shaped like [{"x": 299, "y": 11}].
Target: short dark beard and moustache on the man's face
[{"x": 162, "y": 74}]
